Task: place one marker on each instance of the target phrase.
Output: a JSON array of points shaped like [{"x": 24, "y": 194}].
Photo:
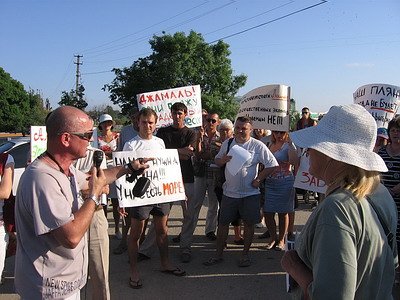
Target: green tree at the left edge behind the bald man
[{"x": 18, "y": 109}]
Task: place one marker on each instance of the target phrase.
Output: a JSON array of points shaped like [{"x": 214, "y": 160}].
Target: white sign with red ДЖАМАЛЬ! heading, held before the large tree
[{"x": 161, "y": 102}]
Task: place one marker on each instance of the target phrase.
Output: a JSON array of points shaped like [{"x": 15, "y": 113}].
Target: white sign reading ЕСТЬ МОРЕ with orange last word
[{"x": 164, "y": 173}]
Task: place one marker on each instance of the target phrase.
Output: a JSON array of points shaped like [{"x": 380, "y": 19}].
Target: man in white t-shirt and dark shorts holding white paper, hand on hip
[{"x": 241, "y": 194}]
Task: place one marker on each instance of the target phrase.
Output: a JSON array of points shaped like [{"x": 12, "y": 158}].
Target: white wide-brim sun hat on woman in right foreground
[{"x": 346, "y": 133}]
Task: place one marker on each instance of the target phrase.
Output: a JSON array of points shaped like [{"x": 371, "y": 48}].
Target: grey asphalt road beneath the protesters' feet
[{"x": 264, "y": 279}]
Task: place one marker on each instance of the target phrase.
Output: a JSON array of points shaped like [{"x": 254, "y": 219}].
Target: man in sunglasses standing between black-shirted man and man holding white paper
[{"x": 207, "y": 146}]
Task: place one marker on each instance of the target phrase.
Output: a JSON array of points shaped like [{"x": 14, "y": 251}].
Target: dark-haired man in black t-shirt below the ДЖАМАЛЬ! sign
[{"x": 178, "y": 136}]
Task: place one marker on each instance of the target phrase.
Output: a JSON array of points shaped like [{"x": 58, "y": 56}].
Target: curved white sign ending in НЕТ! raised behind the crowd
[{"x": 268, "y": 107}]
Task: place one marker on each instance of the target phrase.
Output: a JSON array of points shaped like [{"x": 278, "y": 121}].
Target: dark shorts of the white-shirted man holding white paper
[{"x": 247, "y": 209}]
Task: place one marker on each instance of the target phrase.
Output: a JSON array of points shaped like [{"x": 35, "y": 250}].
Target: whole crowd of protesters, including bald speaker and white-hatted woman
[{"x": 60, "y": 218}]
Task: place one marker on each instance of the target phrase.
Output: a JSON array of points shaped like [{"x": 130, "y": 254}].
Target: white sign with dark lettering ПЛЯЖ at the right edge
[{"x": 381, "y": 100}]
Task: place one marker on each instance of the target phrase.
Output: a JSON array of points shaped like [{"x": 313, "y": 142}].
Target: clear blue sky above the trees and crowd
[{"x": 323, "y": 50}]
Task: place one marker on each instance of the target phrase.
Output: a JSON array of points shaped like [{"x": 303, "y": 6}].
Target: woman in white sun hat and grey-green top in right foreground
[{"x": 345, "y": 251}]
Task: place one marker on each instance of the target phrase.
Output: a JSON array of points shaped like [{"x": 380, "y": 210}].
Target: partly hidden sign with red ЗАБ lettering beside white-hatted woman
[{"x": 304, "y": 180}]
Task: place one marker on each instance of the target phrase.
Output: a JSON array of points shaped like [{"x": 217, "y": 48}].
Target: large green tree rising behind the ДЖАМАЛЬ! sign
[{"x": 180, "y": 60}]
